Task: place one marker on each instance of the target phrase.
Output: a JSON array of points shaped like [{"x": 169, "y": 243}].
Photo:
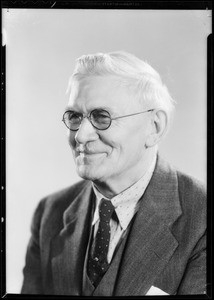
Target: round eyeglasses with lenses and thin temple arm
[{"x": 99, "y": 118}]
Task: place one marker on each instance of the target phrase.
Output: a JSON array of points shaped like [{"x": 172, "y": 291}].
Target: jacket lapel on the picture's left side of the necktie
[{"x": 69, "y": 247}]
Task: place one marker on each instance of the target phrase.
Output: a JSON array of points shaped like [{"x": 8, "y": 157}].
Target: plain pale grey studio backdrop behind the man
[{"x": 41, "y": 48}]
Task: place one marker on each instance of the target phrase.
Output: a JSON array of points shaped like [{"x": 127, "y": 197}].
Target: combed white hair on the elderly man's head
[{"x": 138, "y": 75}]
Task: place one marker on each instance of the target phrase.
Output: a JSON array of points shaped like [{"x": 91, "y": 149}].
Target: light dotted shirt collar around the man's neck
[{"x": 125, "y": 203}]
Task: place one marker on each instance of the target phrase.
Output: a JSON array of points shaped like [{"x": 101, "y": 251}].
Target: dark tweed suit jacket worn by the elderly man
[{"x": 166, "y": 246}]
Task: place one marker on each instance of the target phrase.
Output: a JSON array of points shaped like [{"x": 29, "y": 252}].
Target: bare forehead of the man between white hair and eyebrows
[{"x": 100, "y": 91}]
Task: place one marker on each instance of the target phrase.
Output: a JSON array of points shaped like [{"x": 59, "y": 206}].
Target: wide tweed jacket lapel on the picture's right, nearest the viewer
[{"x": 151, "y": 243}]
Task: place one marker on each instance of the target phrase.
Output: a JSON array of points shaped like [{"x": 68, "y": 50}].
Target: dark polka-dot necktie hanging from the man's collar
[{"x": 97, "y": 263}]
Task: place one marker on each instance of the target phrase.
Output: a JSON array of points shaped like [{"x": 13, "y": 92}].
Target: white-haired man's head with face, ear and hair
[{"x": 116, "y": 84}]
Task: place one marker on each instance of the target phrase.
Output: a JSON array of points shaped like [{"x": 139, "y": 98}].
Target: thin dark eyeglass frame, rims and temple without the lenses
[{"x": 111, "y": 119}]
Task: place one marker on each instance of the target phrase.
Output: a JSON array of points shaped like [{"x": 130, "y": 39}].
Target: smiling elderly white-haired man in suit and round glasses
[{"x": 134, "y": 225}]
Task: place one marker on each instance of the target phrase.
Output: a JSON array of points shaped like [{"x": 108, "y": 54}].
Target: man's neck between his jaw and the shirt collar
[{"x": 116, "y": 185}]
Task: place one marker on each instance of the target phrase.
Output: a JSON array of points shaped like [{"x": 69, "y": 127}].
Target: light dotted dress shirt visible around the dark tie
[{"x": 126, "y": 205}]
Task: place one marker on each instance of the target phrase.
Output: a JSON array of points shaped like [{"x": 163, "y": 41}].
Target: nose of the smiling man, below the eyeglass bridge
[{"x": 86, "y": 132}]
